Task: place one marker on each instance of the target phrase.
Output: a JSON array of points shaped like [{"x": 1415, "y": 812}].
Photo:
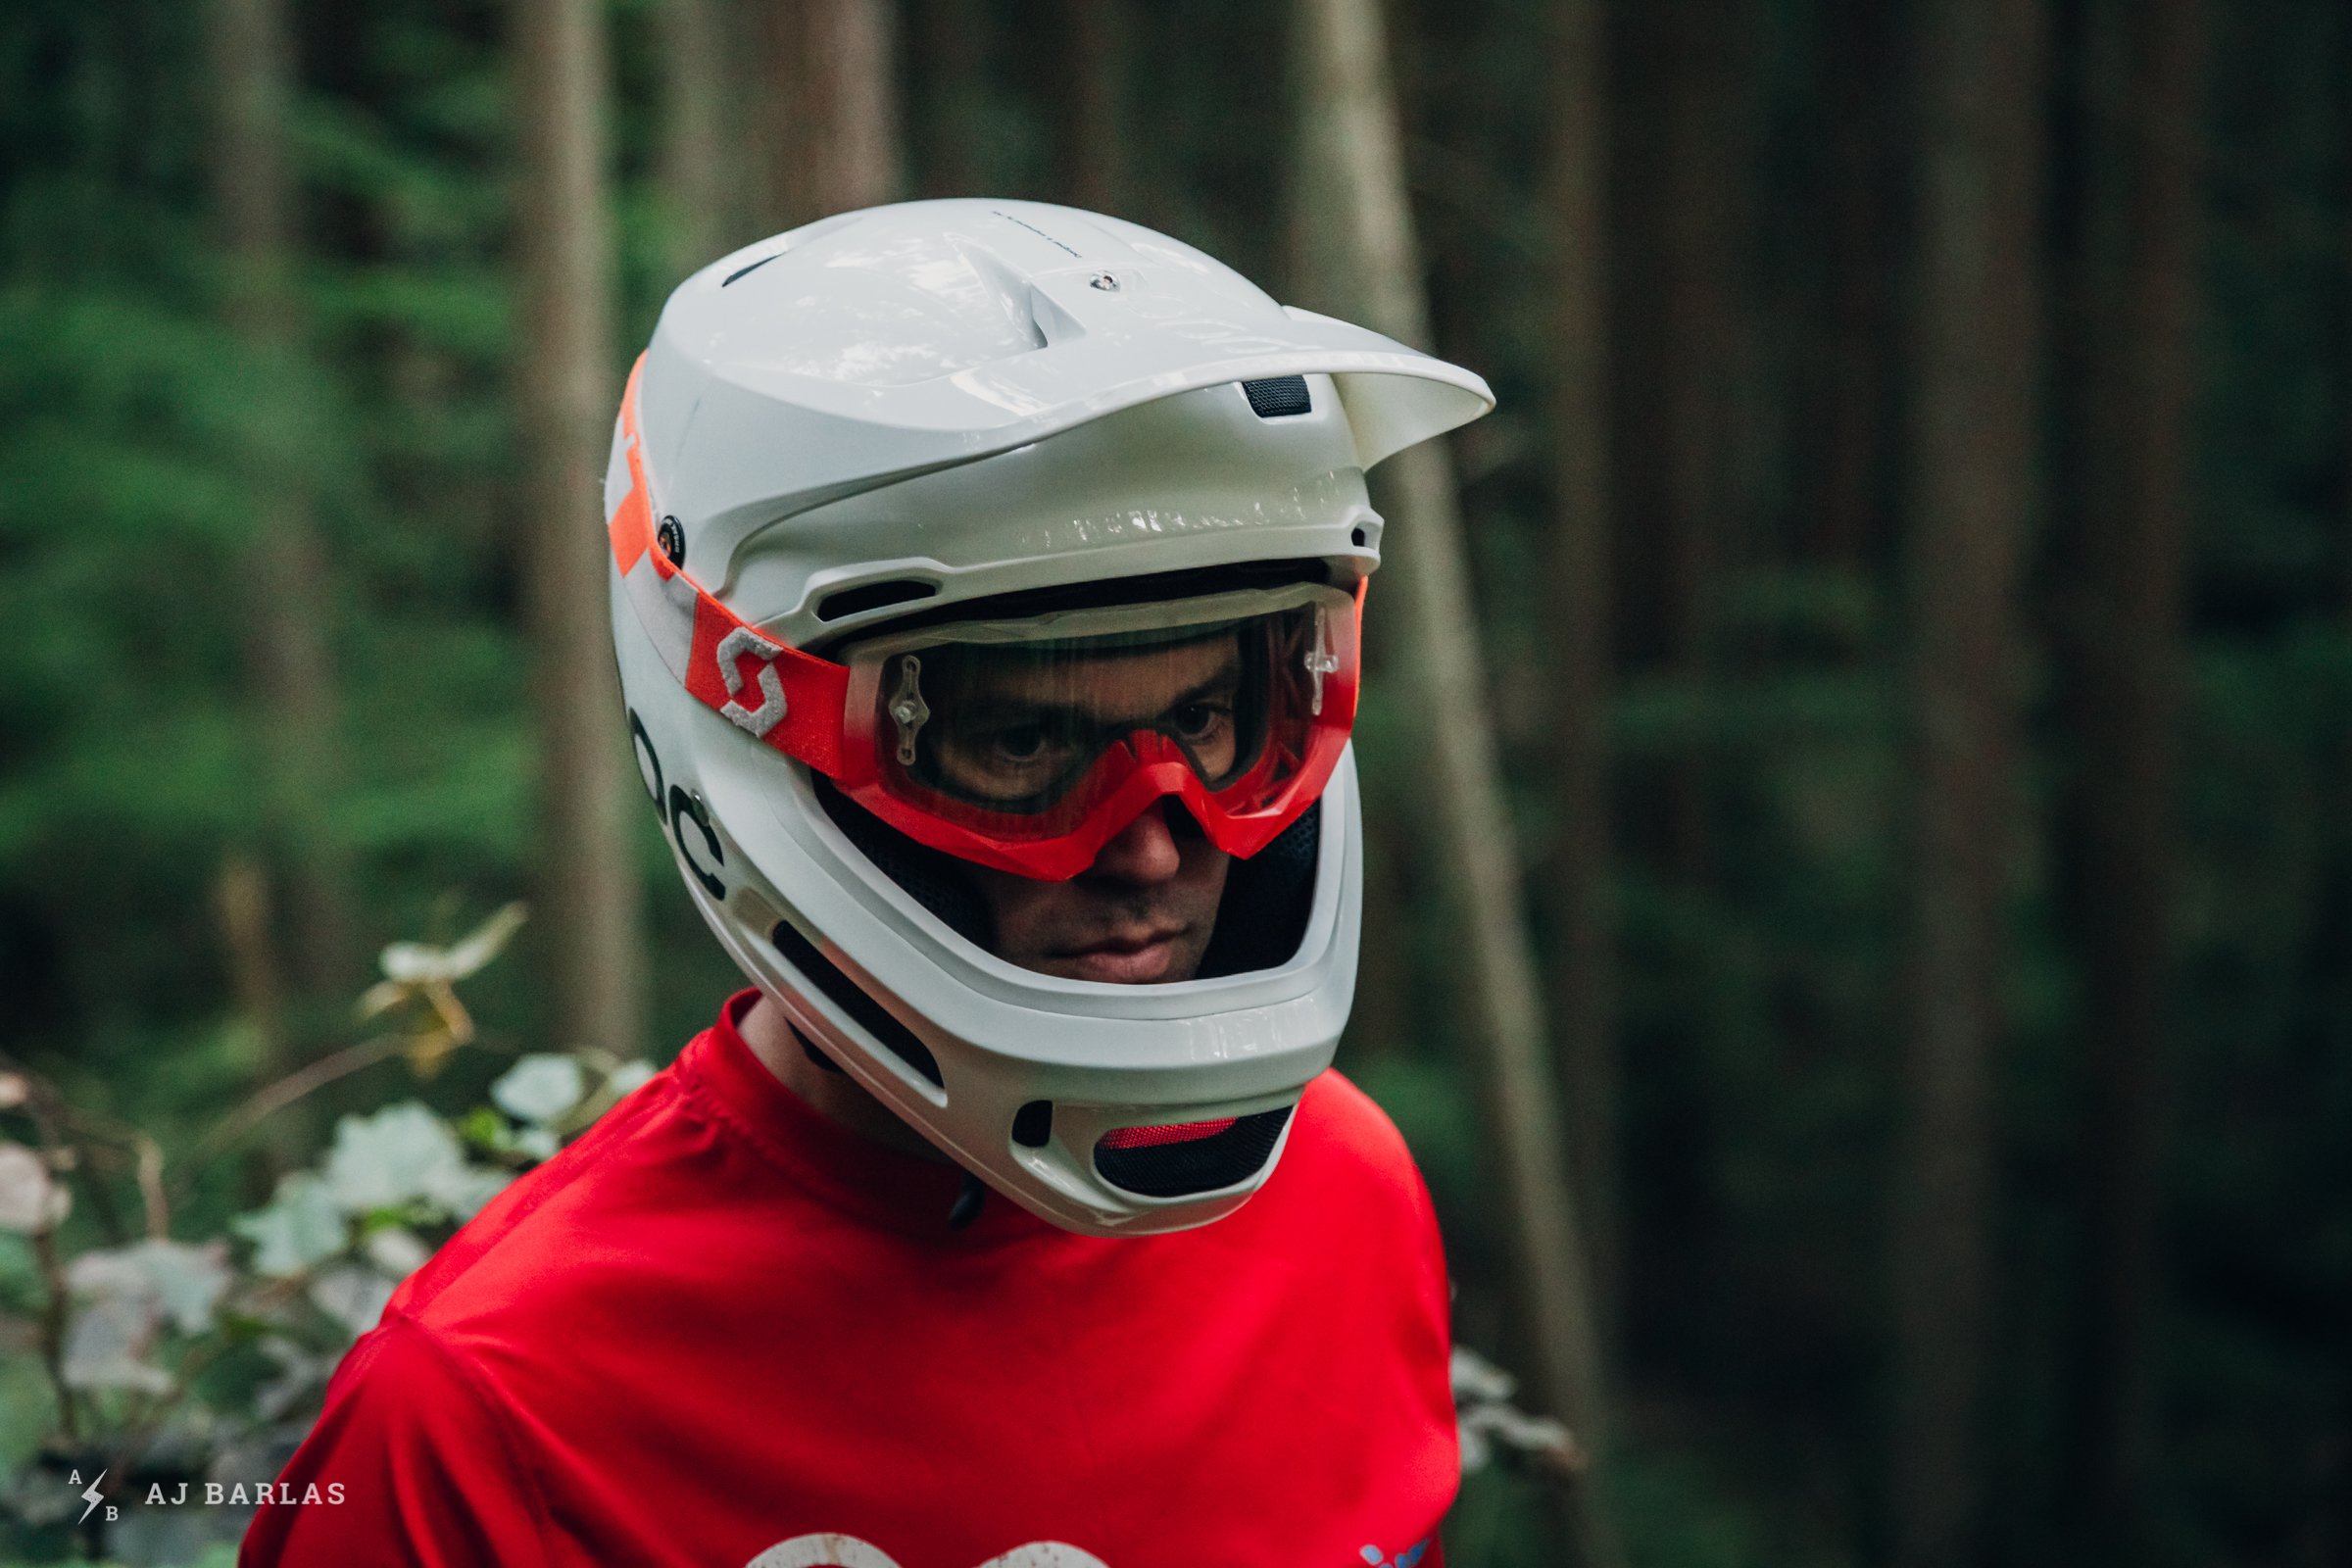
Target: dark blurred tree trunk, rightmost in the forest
[{"x": 2125, "y": 641}]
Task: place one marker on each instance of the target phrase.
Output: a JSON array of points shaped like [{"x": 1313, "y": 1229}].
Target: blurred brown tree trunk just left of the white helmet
[{"x": 587, "y": 890}]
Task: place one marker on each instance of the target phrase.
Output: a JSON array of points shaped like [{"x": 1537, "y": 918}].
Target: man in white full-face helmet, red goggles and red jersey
[{"x": 987, "y": 594}]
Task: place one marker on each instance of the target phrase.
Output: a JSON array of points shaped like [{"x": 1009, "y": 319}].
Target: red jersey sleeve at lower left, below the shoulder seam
[{"x": 410, "y": 1463}]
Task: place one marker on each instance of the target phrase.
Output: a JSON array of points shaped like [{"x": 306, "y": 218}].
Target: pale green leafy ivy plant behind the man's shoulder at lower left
[{"x": 168, "y": 1362}]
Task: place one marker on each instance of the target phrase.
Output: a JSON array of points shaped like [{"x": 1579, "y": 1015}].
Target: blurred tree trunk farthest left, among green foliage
[{"x": 293, "y": 598}]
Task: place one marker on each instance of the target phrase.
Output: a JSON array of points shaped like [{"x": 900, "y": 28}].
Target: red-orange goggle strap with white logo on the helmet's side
[{"x": 789, "y": 699}]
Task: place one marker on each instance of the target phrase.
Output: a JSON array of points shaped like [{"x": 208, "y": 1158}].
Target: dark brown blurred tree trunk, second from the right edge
[{"x": 1970, "y": 495}]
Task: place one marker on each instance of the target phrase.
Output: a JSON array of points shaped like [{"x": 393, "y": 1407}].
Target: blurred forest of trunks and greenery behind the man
[{"x": 1913, "y": 603}]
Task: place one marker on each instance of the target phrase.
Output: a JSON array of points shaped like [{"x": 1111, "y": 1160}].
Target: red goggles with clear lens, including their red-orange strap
[{"x": 1031, "y": 742}]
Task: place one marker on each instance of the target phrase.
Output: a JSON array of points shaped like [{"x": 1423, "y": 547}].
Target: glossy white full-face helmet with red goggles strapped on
[{"x": 874, "y": 455}]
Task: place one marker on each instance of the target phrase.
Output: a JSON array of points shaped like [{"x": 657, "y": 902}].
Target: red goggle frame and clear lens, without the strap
[{"x": 1043, "y": 737}]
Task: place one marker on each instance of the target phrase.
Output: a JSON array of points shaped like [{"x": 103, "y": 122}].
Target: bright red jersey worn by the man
[{"x": 726, "y": 1332}]
